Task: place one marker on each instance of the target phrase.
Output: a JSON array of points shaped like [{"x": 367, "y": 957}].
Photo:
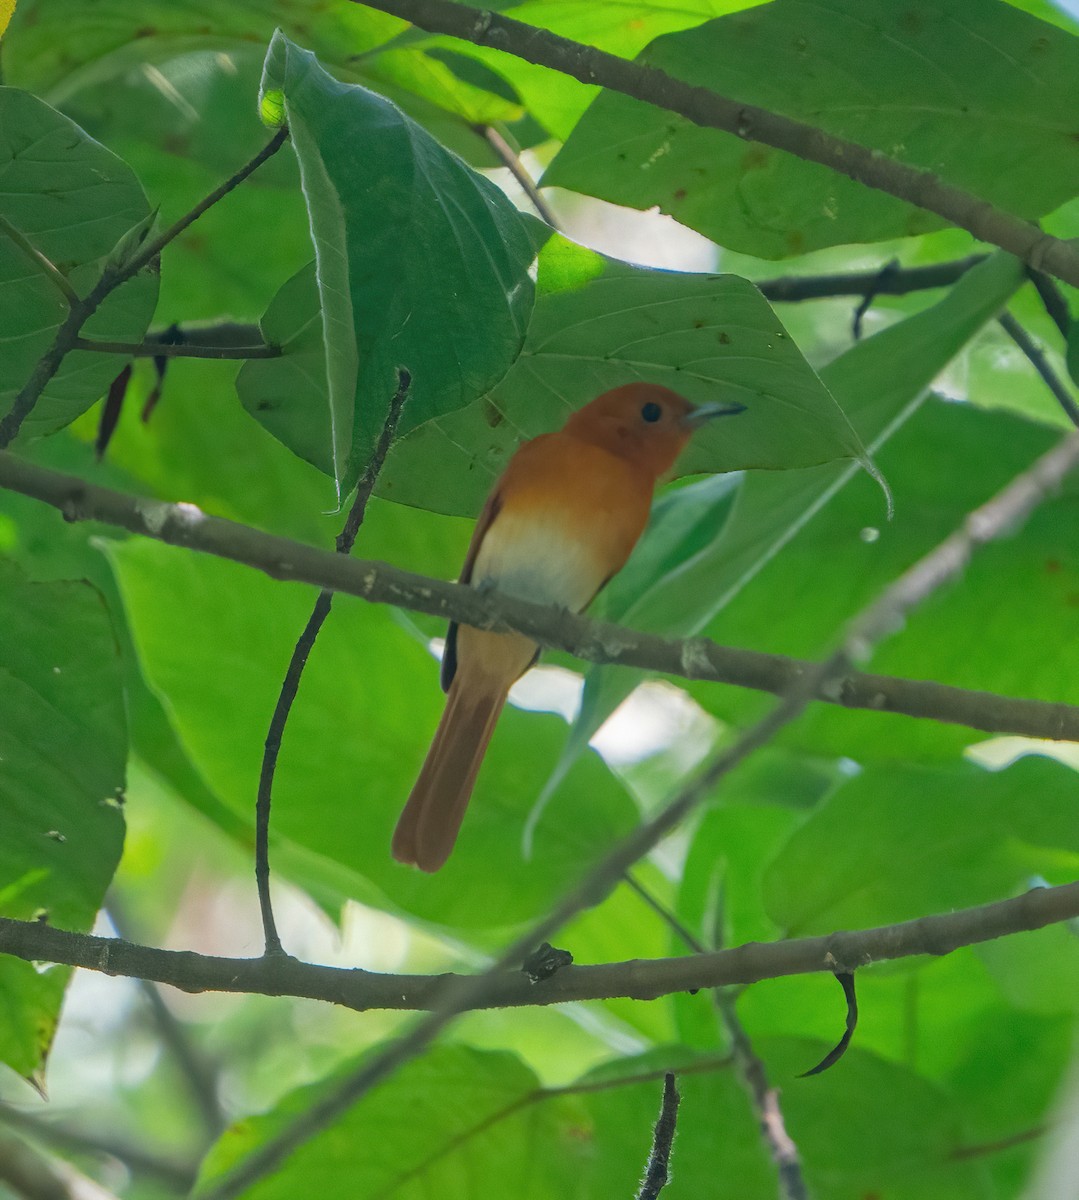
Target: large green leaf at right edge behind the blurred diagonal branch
[{"x": 976, "y": 634}]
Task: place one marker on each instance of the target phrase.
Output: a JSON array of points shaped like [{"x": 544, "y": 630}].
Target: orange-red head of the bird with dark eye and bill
[{"x": 645, "y": 423}]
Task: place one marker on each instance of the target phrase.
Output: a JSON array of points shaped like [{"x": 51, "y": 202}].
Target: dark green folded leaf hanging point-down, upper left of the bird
[{"x": 421, "y": 262}]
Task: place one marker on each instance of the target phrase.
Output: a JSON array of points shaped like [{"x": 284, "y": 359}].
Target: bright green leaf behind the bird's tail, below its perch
[{"x": 349, "y": 759}]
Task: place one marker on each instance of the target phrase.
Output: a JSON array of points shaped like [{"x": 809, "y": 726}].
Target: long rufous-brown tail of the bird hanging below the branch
[{"x": 429, "y": 826}]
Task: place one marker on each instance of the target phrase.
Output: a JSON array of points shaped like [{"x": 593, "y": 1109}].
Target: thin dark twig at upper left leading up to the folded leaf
[{"x": 80, "y": 313}]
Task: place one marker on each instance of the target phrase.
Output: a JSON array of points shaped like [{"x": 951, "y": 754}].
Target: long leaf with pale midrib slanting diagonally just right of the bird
[{"x": 880, "y": 382}]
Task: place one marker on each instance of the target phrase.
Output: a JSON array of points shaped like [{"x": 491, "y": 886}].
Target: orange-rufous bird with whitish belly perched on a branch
[{"x": 560, "y": 523}]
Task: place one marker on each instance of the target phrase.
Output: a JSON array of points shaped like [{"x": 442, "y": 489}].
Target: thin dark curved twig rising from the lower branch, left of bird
[{"x": 299, "y": 661}]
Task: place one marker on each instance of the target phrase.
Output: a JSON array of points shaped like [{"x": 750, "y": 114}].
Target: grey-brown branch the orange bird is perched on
[{"x": 698, "y": 658}]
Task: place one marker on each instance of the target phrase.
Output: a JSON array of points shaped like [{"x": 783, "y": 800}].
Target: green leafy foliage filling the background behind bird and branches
[{"x": 137, "y": 681}]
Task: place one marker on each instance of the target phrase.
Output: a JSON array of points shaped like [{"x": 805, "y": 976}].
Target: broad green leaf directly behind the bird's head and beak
[{"x": 600, "y": 323}]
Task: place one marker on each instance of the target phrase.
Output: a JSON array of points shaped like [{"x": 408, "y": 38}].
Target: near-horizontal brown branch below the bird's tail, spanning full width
[{"x": 637, "y": 980}]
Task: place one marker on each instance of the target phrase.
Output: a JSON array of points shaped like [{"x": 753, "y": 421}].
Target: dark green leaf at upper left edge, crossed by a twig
[{"x": 75, "y": 201}]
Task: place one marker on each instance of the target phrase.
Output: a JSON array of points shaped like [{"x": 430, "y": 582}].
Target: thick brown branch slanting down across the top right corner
[{"x": 748, "y": 122}]
